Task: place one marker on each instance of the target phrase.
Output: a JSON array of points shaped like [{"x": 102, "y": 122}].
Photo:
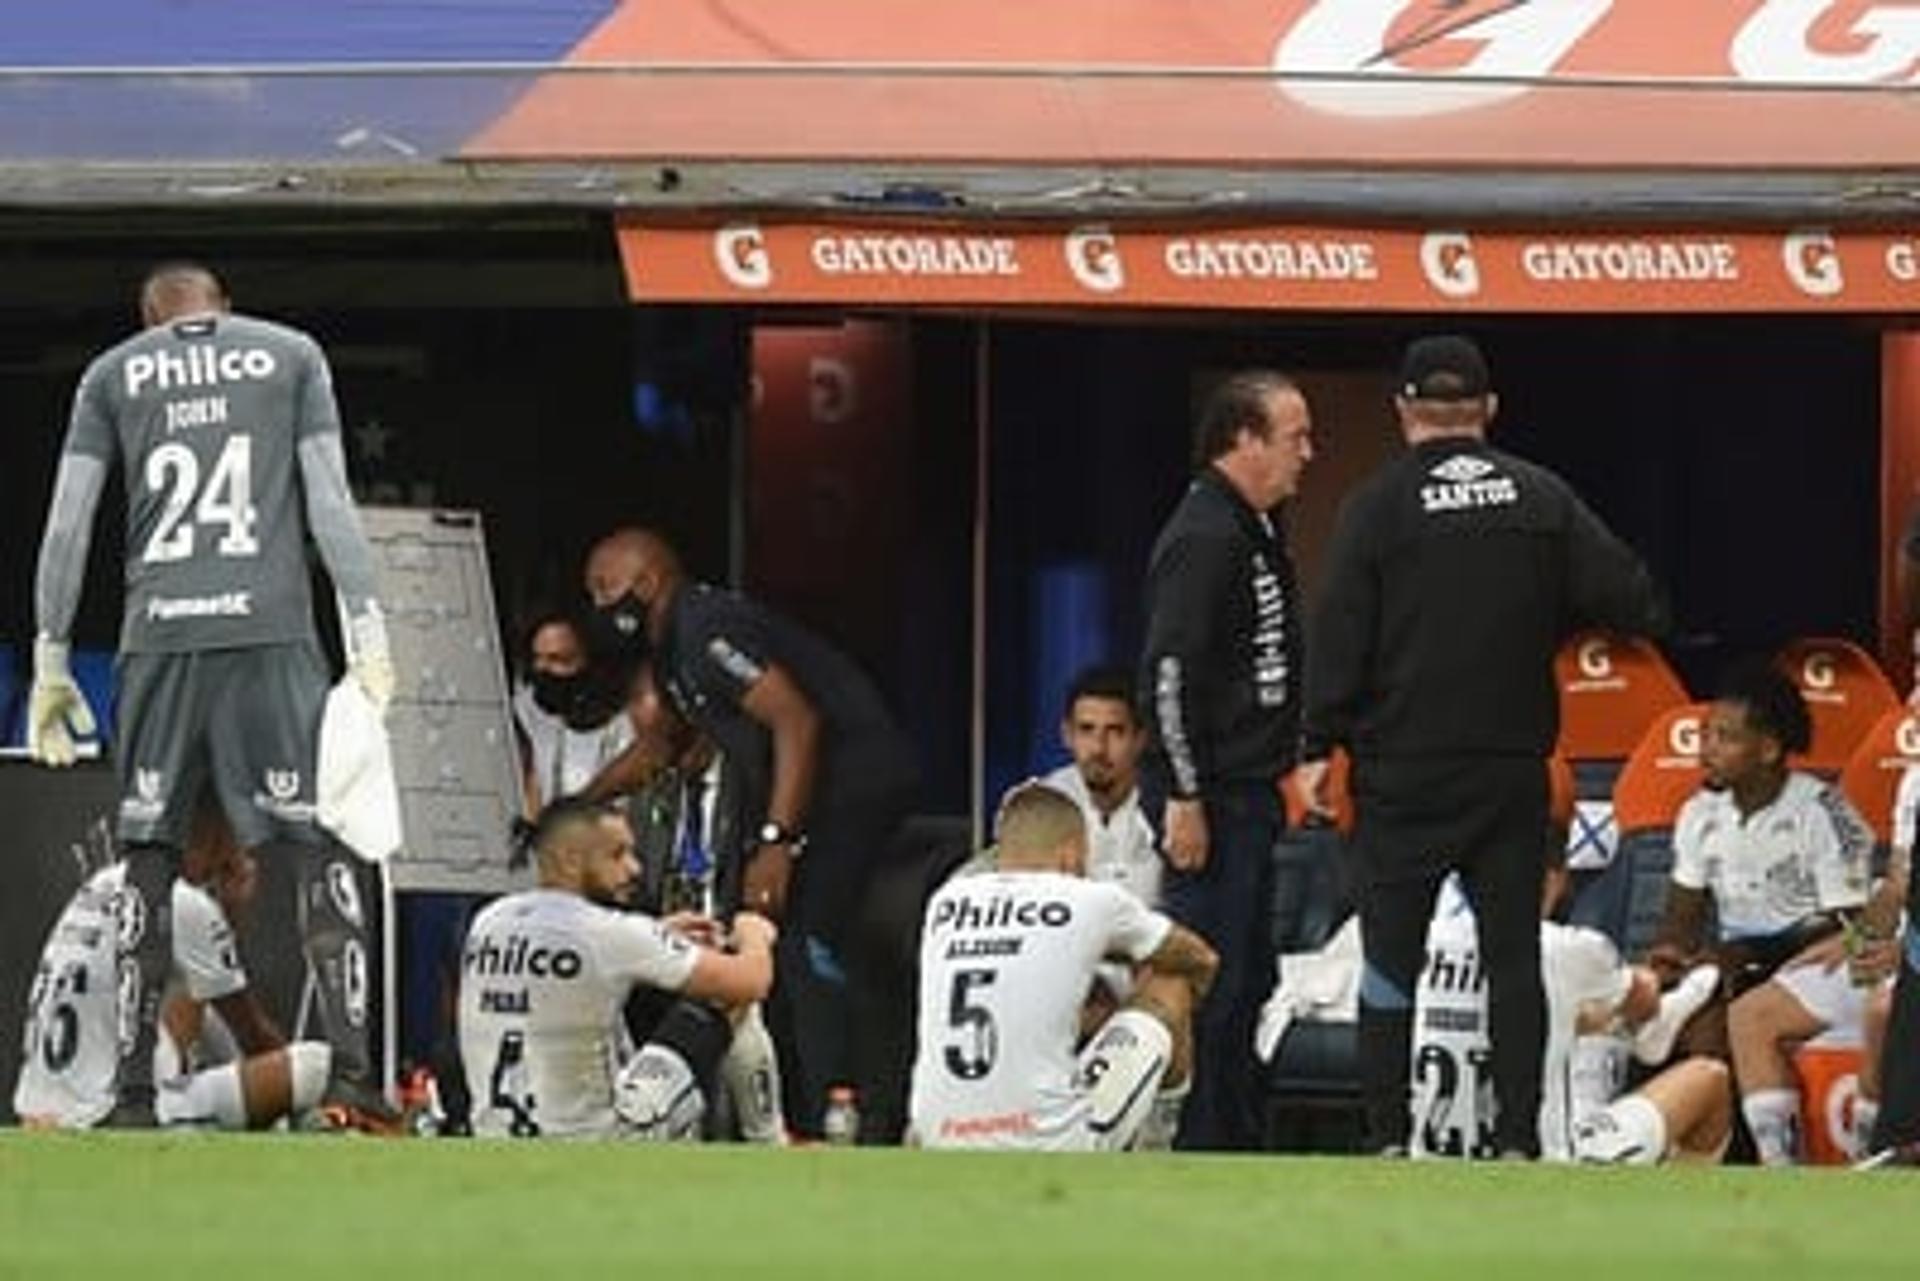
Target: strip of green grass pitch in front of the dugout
[{"x": 276, "y": 1207}]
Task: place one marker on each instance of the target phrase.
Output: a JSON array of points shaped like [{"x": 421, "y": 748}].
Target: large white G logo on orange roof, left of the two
[{"x": 1460, "y": 41}]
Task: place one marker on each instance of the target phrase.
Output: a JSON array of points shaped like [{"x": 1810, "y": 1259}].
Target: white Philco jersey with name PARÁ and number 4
[{"x": 542, "y": 984}]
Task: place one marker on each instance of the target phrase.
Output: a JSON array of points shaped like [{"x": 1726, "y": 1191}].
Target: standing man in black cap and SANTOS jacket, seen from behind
[{"x": 1452, "y": 577}]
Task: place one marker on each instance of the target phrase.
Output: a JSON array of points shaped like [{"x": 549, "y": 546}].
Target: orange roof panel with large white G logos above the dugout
[{"x": 1681, "y": 85}]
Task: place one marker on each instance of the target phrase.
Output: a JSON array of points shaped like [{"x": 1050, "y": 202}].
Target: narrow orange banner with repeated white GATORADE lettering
[{"x": 1274, "y": 268}]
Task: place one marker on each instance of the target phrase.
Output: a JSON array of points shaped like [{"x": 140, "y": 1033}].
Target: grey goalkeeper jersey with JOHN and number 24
[{"x": 208, "y": 416}]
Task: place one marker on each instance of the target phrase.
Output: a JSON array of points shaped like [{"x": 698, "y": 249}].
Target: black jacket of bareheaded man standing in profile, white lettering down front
[{"x": 1220, "y": 679}]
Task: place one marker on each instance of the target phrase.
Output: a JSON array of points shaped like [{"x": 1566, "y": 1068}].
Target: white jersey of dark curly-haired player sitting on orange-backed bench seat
[{"x": 1806, "y": 854}]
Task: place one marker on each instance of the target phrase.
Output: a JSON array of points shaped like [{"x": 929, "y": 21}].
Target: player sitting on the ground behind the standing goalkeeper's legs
[{"x": 74, "y": 1011}]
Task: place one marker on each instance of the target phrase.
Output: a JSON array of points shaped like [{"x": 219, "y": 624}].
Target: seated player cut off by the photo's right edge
[{"x": 1825, "y": 988}]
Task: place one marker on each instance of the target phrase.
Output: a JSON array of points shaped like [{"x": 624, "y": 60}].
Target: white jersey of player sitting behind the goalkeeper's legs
[{"x": 74, "y": 1011}]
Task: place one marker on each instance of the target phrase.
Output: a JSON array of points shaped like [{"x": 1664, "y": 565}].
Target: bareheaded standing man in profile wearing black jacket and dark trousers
[{"x": 1222, "y": 679}]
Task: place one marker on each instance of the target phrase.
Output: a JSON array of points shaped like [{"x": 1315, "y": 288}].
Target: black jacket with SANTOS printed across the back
[{"x": 1452, "y": 579}]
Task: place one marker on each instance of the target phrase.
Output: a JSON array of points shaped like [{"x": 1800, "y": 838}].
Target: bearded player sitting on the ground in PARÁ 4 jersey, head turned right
[{"x": 546, "y": 975}]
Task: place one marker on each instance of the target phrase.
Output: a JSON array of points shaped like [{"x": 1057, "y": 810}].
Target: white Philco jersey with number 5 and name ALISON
[{"x": 1005, "y": 965}]
